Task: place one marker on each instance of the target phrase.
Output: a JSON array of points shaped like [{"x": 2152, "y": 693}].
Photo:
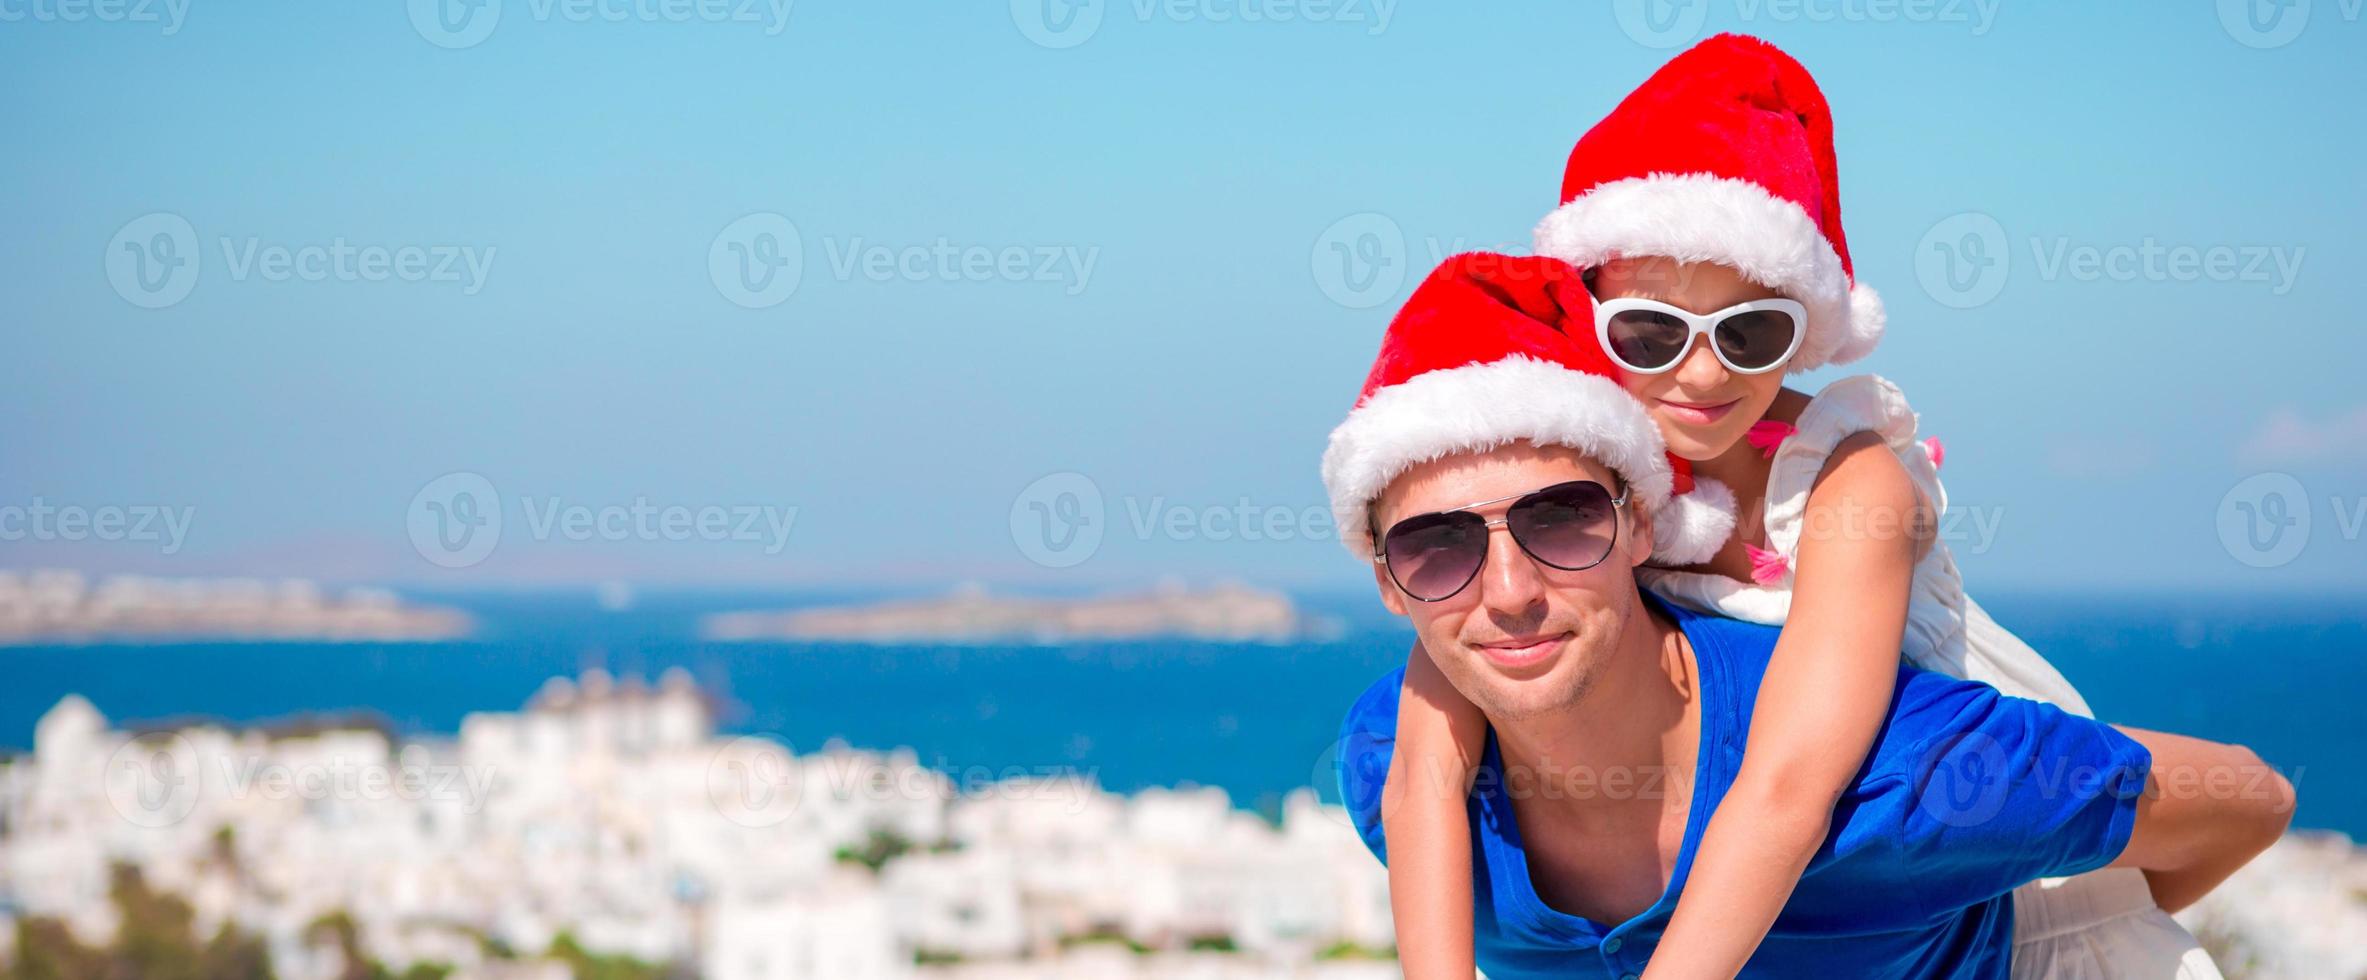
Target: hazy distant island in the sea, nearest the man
[{"x": 974, "y": 617}]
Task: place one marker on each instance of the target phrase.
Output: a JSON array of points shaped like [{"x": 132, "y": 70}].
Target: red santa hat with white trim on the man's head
[{"x": 1492, "y": 352}]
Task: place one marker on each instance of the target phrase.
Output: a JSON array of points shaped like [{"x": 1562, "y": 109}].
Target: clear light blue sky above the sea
[{"x": 1085, "y": 266}]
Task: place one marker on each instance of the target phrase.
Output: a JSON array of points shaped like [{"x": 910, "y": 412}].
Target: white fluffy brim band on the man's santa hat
[{"x": 1478, "y": 408}]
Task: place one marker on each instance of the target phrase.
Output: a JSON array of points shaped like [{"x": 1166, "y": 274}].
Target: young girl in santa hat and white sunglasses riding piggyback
[{"x": 1708, "y": 217}]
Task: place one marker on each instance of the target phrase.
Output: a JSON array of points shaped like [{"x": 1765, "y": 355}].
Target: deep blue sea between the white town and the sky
[{"x": 2281, "y": 676}]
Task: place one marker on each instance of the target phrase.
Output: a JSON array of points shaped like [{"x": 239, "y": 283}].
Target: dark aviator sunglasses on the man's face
[{"x": 1568, "y": 527}]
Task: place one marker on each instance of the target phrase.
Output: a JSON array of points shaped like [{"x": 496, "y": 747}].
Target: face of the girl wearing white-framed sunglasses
[{"x": 1701, "y": 408}]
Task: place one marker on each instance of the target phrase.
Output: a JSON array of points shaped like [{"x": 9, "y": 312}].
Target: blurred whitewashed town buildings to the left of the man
[{"x": 610, "y": 827}]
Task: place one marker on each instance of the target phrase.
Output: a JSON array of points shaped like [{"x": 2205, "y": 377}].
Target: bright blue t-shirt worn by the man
[{"x": 1966, "y": 797}]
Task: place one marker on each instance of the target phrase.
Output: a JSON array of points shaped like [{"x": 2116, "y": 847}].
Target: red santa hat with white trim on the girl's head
[{"x": 1724, "y": 157}]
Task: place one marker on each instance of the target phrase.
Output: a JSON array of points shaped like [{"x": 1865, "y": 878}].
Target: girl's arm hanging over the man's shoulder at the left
[{"x": 1440, "y": 737}]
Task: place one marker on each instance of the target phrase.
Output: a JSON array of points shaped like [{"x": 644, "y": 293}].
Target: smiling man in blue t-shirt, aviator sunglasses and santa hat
[{"x": 1497, "y": 482}]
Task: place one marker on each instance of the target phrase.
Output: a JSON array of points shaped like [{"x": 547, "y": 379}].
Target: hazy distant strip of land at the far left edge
[{"x": 63, "y": 607}]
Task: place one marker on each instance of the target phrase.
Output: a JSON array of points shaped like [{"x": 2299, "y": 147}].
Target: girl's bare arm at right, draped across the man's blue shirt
[{"x": 1817, "y": 716}]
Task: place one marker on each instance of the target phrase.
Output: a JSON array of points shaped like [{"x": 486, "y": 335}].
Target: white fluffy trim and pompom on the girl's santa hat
[{"x": 1708, "y": 219}]
